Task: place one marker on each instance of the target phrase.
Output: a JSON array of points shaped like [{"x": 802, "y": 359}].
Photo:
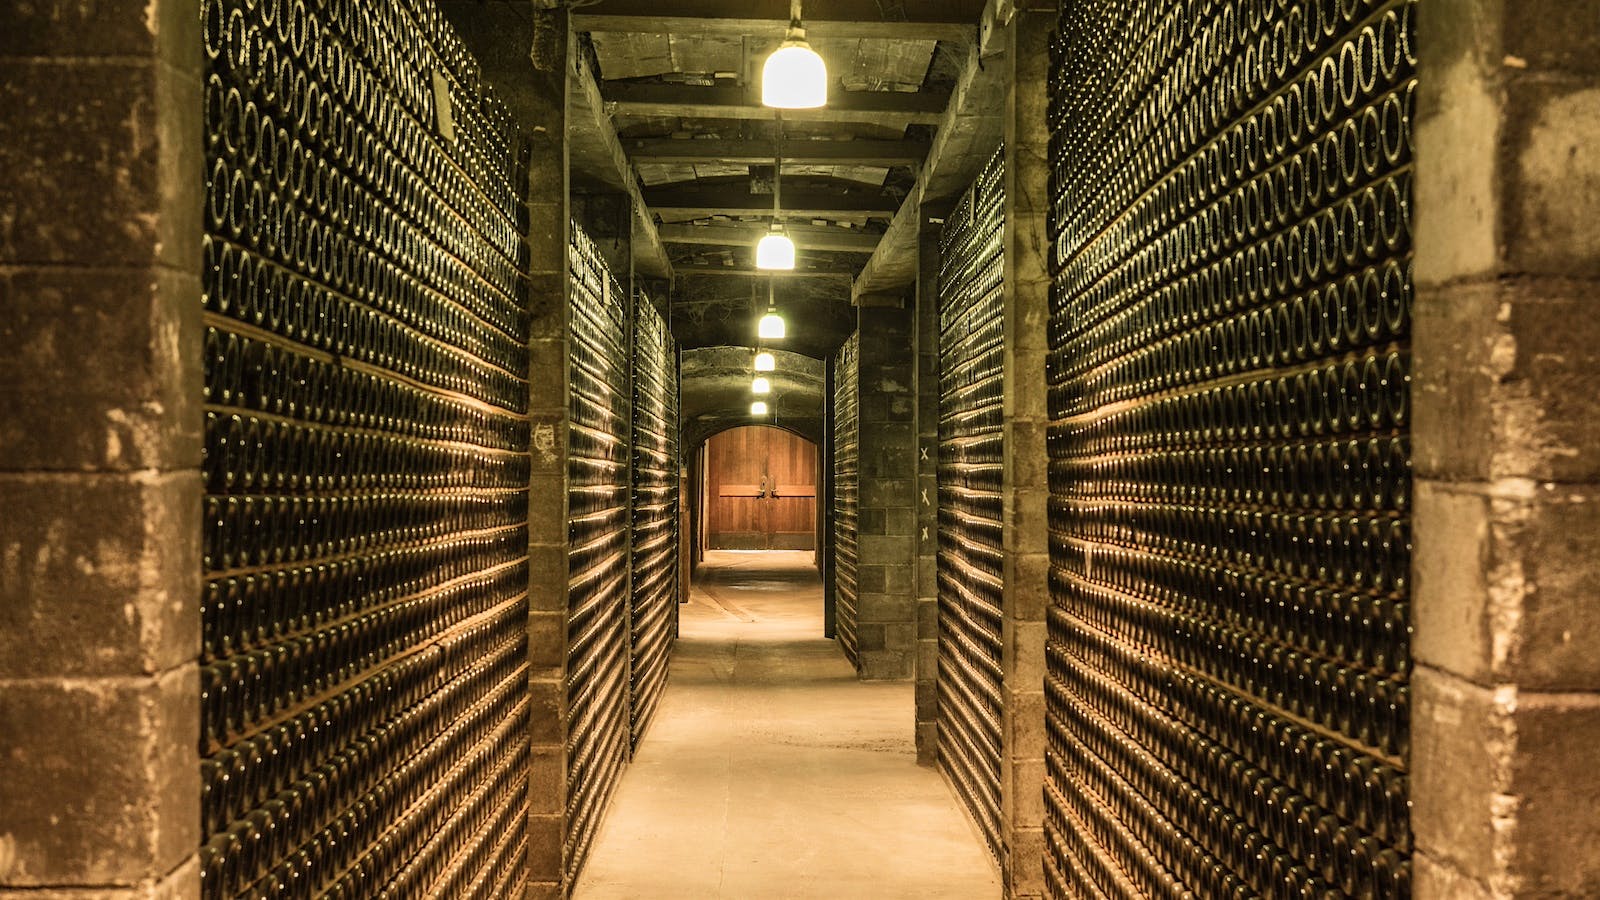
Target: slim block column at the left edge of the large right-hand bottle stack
[{"x": 1025, "y": 481}]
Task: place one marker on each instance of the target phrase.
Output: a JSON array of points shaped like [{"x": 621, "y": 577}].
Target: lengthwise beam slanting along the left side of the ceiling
[{"x": 598, "y": 153}]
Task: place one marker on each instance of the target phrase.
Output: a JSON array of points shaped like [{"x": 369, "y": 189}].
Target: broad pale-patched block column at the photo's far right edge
[{"x": 1506, "y": 707}]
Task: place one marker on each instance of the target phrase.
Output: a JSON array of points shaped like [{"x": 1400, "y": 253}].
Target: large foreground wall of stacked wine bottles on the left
[{"x": 364, "y": 662}]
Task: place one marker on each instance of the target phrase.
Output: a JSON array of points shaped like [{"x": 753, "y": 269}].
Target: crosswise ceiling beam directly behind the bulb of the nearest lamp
[{"x": 689, "y": 102}]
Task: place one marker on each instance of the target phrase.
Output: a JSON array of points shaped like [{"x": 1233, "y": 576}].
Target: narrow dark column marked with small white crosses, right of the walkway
[{"x": 927, "y": 385}]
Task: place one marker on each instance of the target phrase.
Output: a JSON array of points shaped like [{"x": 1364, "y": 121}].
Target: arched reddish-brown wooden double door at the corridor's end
[{"x": 761, "y": 491}]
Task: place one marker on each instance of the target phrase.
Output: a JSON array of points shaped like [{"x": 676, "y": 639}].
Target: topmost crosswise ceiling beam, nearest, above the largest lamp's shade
[{"x": 730, "y": 26}]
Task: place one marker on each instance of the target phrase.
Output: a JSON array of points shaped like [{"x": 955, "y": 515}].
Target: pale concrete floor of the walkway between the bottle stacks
[{"x": 774, "y": 773}]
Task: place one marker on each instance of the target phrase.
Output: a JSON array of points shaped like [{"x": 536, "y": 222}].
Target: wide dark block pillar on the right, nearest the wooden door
[{"x": 887, "y": 544}]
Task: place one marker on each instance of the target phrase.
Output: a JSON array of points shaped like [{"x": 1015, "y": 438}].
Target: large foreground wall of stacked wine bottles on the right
[{"x": 1230, "y": 374}]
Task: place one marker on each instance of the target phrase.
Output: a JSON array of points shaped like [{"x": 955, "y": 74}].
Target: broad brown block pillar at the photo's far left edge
[{"x": 102, "y": 198}]
